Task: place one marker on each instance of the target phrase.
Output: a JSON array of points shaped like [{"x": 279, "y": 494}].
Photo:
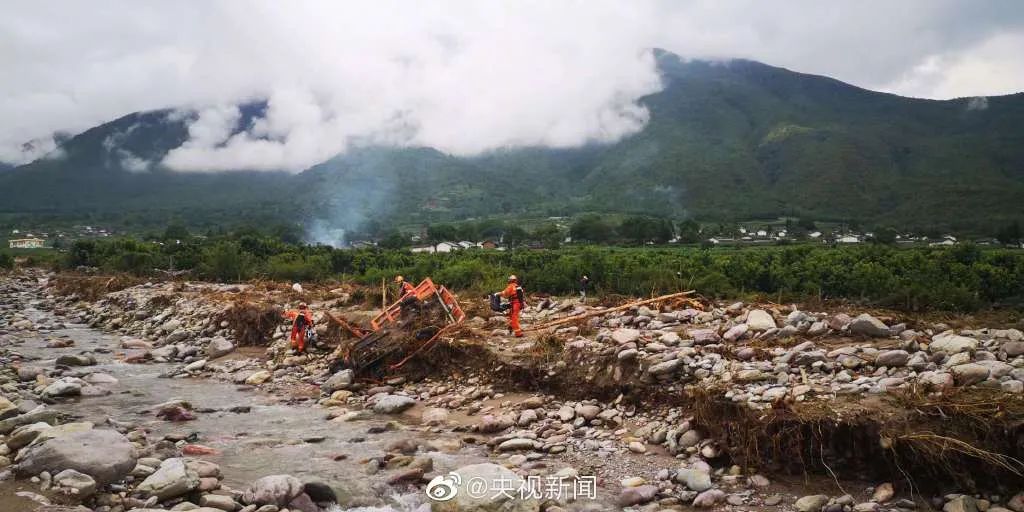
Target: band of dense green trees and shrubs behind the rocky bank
[{"x": 962, "y": 278}]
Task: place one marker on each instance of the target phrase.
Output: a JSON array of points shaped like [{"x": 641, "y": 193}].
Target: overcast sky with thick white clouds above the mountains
[{"x": 461, "y": 76}]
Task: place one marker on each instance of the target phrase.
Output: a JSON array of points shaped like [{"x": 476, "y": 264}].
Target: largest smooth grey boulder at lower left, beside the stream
[{"x": 105, "y": 455}]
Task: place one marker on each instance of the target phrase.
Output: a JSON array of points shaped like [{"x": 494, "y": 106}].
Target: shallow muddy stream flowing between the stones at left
[{"x": 273, "y": 439}]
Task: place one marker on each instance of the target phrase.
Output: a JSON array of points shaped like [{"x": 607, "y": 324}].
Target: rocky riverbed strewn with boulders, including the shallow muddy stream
[{"x": 649, "y": 408}]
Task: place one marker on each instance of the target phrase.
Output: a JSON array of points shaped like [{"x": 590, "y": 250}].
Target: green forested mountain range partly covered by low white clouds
[{"x": 727, "y": 141}]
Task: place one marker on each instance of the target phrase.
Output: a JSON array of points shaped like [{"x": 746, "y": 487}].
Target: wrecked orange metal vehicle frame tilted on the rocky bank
[{"x": 406, "y": 328}]
